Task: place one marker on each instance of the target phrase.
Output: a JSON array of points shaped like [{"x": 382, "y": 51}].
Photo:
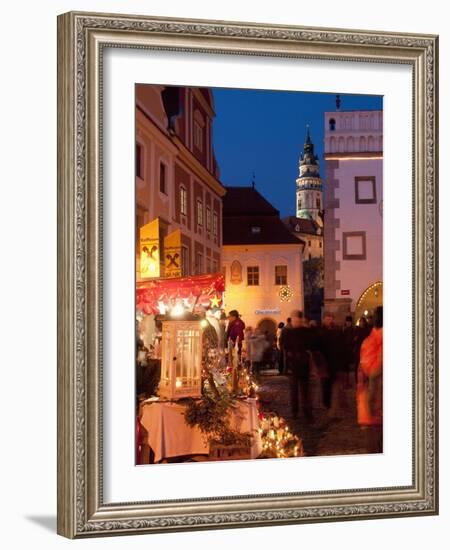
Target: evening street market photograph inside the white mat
[{"x": 259, "y": 274}]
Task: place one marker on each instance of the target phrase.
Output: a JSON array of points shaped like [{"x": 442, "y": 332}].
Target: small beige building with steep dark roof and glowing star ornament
[{"x": 262, "y": 261}]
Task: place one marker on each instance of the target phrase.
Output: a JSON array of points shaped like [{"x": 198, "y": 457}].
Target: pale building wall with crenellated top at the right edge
[{"x": 353, "y": 149}]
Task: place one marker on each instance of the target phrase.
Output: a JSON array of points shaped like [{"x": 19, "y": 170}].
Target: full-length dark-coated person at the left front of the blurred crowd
[{"x": 295, "y": 342}]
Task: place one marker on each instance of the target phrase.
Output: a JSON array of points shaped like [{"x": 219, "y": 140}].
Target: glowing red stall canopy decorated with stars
[{"x": 158, "y": 296}]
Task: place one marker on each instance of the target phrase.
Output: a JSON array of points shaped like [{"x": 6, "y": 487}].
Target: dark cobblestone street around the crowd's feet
[{"x": 339, "y": 434}]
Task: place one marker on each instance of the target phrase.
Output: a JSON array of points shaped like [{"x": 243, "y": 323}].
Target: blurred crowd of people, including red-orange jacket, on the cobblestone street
[{"x": 346, "y": 359}]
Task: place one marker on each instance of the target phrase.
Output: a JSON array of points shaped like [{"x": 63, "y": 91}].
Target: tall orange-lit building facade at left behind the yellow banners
[{"x": 177, "y": 178}]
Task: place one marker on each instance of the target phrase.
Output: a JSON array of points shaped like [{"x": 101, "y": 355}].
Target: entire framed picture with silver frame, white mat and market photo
[{"x": 223, "y": 190}]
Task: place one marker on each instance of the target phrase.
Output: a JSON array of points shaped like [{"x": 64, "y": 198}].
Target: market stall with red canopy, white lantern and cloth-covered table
[{"x": 201, "y": 397}]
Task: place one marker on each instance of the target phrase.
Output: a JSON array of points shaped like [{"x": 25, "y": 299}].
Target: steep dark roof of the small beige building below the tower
[{"x": 248, "y": 218}]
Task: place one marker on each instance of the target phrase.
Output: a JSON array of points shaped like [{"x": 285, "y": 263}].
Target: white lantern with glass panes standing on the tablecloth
[{"x": 181, "y": 359}]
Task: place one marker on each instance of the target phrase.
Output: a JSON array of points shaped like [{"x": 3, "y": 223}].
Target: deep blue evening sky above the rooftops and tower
[{"x": 263, "y": 131}]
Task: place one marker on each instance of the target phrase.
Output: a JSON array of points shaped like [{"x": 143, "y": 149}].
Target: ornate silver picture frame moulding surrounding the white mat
[{"x": 82, "y": 38}]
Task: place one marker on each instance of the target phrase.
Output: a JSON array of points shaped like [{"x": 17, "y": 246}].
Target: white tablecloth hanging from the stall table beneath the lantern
[{"x": 166, "y": 432}]
